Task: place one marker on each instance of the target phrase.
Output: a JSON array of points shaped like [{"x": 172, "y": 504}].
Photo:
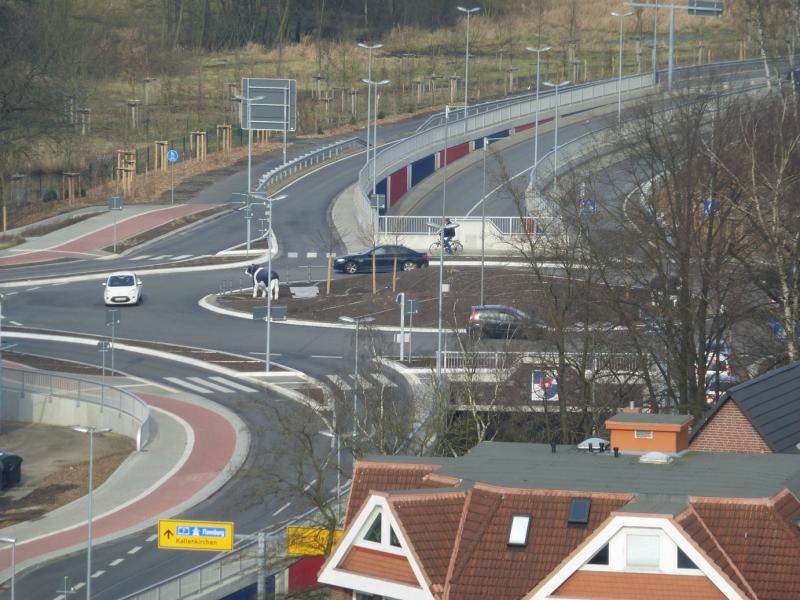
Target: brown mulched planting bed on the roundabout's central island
[{"x": 352, "y": 296}]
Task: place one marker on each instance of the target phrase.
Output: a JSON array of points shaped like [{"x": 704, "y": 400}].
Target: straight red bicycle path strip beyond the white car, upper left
[{"x": 104, "y": 237}]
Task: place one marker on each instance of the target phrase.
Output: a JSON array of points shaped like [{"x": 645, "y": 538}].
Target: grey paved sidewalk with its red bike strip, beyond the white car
[{"x": 87, "y": 238}]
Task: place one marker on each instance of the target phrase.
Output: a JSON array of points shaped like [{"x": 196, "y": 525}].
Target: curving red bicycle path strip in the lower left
[{"x": 214, "y": 446}]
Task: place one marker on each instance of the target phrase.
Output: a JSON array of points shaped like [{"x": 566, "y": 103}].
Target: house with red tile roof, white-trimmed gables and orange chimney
[{"x": 530, "y": 521}]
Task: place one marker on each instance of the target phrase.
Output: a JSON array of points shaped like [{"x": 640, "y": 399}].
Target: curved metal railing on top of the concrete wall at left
[{"x": 75, "y": 389}]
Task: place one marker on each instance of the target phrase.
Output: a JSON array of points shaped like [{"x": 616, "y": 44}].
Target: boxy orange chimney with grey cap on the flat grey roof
[{"x": 637, "y": 432}]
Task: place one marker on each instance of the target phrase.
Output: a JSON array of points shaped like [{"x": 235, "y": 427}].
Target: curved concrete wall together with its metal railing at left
[{"x": 30, "y": 395}]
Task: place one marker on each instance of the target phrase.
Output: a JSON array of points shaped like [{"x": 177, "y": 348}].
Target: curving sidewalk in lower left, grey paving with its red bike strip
[{"x": 197, "y": 448}]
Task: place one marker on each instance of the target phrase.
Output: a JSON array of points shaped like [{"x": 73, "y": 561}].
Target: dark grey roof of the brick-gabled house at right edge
[{"x": 771, "y": 402}]
